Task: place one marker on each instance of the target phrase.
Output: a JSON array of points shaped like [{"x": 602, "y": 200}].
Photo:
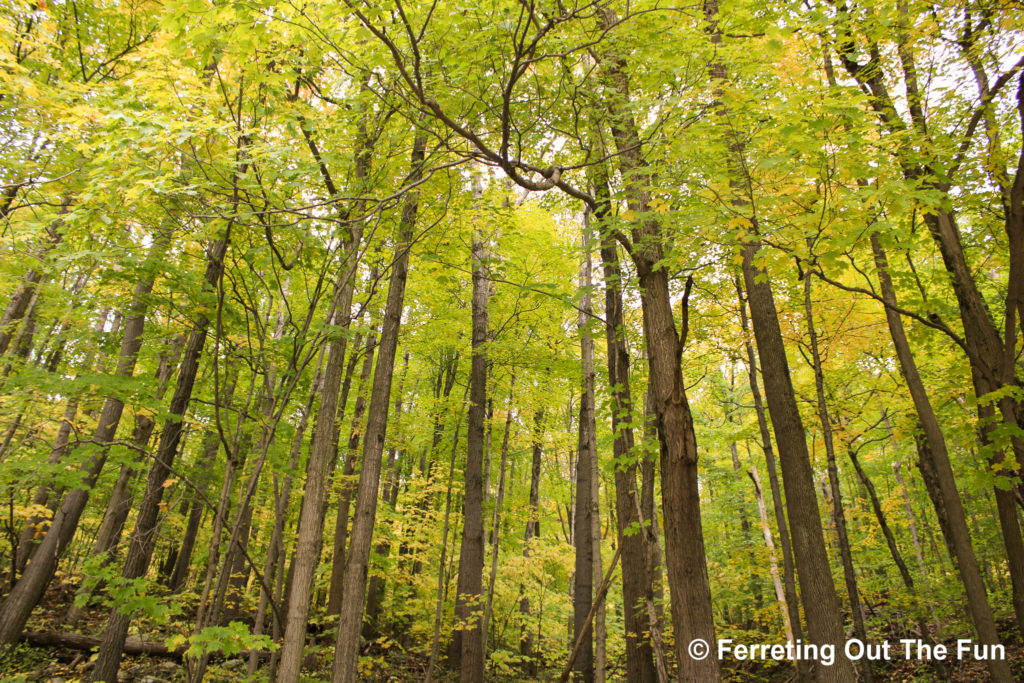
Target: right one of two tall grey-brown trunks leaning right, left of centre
[{"x": 354, "y": 593}]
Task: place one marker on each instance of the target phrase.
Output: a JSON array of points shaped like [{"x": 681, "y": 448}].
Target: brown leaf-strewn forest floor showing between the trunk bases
[{"x": 67, "y": 665}]
